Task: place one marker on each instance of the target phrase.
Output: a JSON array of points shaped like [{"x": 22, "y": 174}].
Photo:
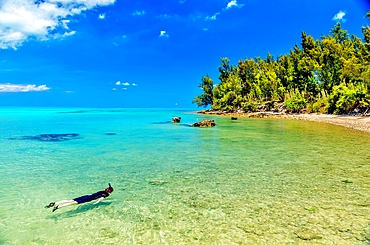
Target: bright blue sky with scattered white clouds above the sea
[{"x": 121, "y": 53}]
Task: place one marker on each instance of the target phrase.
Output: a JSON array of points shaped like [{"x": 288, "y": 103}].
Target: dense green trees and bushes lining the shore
[{"x": 331, "y": 75}]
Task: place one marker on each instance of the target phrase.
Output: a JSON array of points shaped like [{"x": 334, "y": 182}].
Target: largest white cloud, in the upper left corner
[{"x": 21, "y": 20}]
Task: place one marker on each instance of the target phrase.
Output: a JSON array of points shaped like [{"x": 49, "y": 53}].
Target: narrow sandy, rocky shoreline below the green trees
[{"x": 361, "y": 123}]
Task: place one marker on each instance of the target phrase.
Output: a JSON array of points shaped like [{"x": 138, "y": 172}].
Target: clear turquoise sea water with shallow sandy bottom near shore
[{"x": 250, "y": 181}]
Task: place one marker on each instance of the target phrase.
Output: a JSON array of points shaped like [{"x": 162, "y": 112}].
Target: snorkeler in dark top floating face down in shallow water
[{"x": 100, "y": 195}]
